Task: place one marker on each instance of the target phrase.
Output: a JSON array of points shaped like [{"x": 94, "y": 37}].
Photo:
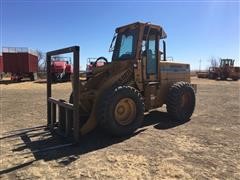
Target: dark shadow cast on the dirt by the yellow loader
[{"x": 50, "y": 146}]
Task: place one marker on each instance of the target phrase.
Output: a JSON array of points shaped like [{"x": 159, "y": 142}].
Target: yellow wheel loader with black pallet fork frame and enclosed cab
[{"x": 116, "y": 96}]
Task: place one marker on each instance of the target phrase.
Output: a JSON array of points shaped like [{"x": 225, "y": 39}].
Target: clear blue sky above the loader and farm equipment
[{"x": 196, "y": 29}]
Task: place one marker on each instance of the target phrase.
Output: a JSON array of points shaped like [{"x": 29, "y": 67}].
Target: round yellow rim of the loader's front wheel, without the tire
[{"x": 125, "y": 111}]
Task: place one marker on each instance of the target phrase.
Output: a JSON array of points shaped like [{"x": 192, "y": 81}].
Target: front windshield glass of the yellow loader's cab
[{"x": 125, "y": 45}]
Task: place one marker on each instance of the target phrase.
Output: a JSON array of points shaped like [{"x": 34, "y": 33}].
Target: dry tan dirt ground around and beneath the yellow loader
[{"x": 206, "y": 147}]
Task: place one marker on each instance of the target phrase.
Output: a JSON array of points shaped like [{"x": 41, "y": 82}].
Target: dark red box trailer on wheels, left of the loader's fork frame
[{"x": 20, "y": 62}]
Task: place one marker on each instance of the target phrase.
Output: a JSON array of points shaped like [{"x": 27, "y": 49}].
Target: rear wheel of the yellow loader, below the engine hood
[{"x": 181, "y": 101}]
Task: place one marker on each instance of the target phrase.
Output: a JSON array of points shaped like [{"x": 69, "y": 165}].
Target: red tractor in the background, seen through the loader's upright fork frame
[{"x": 61, "y": 70}]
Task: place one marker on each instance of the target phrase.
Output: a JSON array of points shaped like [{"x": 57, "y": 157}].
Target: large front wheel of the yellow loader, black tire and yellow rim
[{"x": 122, "y": 111}]
